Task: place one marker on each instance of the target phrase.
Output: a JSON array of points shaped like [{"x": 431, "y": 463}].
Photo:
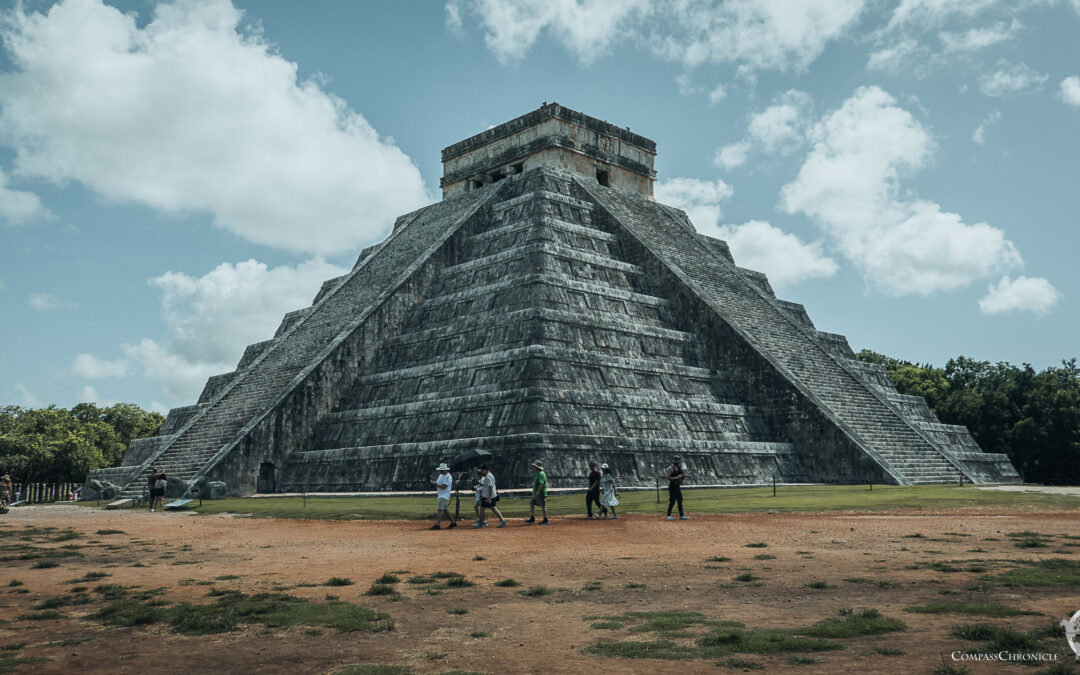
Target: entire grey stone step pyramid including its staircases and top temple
[{"x": 548, "y": 308}]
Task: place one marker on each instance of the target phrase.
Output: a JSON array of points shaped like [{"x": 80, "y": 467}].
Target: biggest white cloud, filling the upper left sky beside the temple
[{"x": 193, "y": 114}]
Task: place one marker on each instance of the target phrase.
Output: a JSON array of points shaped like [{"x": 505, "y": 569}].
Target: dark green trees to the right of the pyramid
[{"x": 1034, "y": 417}]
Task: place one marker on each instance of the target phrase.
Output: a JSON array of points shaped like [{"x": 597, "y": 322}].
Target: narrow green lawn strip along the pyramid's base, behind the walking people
[{"x": 730, "y": 501}]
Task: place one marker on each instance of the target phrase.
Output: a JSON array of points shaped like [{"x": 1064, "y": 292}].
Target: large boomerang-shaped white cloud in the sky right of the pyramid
[{"x": 850, "y": 185}]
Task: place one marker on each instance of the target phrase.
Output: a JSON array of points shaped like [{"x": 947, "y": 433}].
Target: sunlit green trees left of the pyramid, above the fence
[{"x": 60, "y": 445}]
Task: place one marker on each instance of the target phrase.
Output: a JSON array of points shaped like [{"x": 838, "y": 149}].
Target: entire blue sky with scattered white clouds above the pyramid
[{"x": 175, "y": 177}]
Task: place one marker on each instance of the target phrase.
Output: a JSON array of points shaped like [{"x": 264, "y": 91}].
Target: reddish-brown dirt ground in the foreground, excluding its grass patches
[{"x": 671, "y": 560}]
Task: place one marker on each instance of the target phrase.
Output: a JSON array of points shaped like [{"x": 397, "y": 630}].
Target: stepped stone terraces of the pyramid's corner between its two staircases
[{"x": 541, "y": 329}]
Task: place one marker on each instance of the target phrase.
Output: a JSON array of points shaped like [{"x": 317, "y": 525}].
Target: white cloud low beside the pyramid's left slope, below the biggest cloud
[{"x": 211, "y": 319}]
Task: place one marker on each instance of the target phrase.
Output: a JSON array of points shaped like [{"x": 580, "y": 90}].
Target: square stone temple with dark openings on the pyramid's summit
[{"x": 557, "y": 138}]
